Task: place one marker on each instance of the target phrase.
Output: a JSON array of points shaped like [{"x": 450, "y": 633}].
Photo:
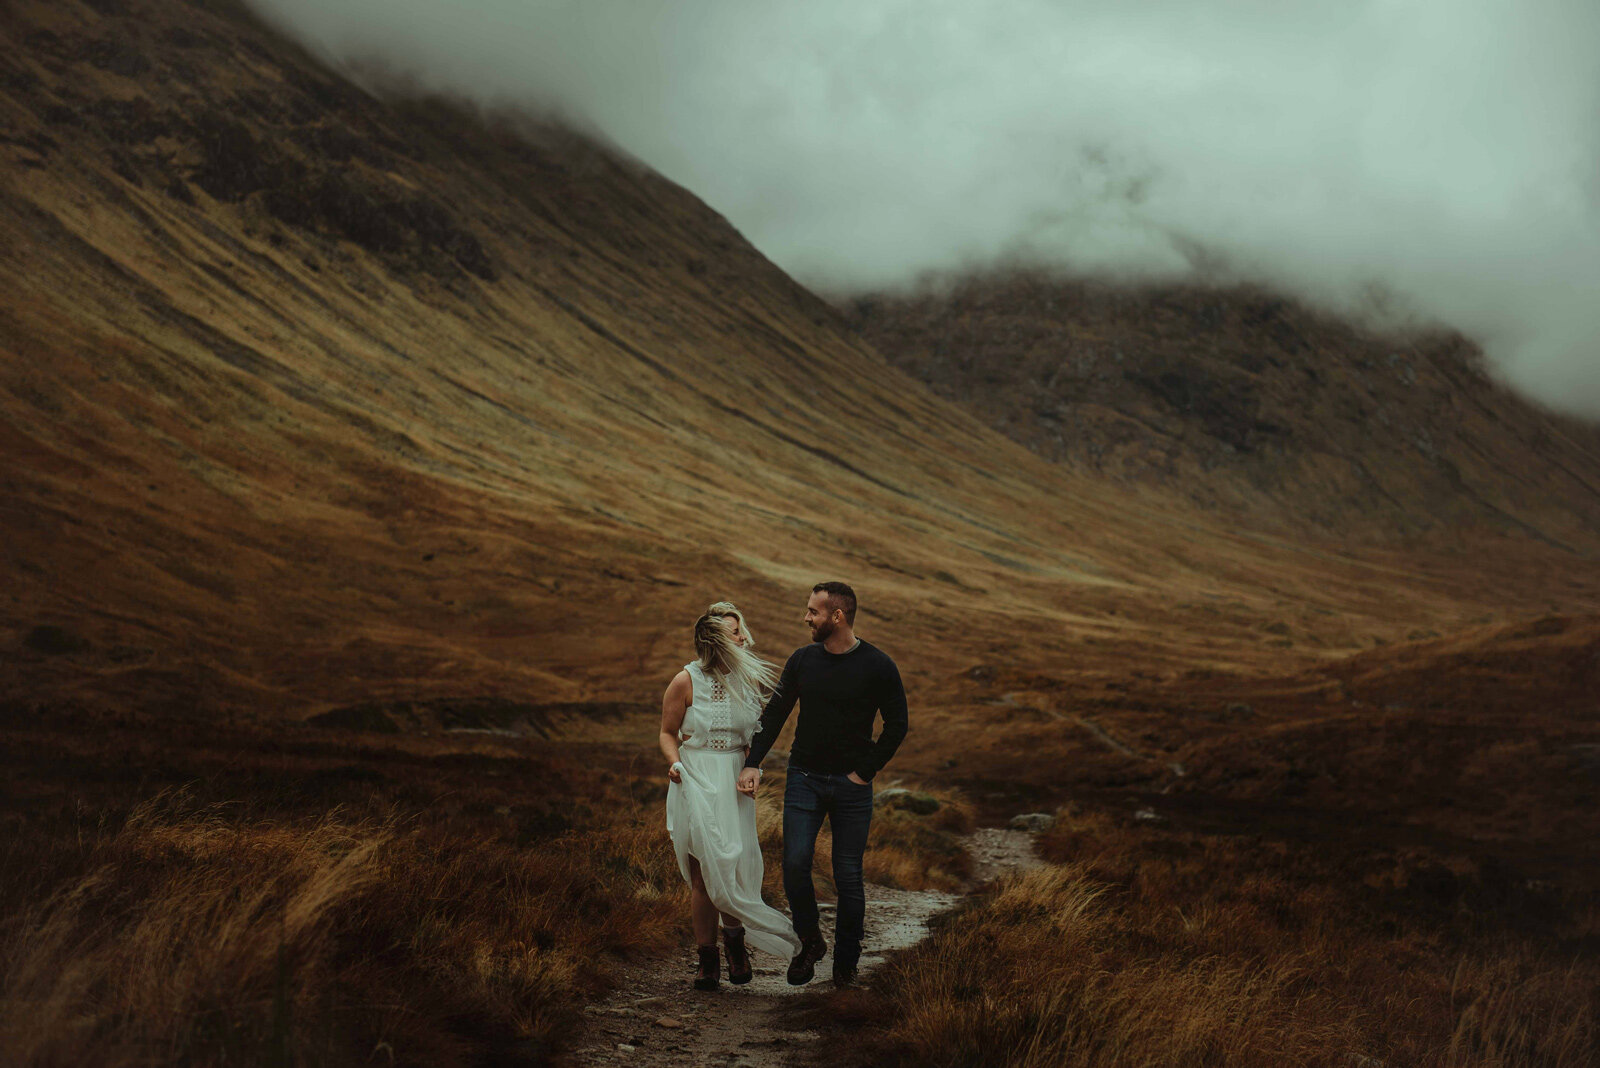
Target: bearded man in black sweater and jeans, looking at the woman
[{"x": 841, "y": 683}]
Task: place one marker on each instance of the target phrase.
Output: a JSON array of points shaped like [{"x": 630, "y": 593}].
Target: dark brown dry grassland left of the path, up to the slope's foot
[{"x": 396, "y": 911}]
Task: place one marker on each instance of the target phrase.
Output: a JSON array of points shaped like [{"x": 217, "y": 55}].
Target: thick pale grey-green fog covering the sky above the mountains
[{"x": 1433, "y": 159}]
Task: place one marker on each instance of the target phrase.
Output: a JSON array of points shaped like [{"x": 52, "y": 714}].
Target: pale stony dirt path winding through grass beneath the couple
[{"x": 655, "y": 1019}]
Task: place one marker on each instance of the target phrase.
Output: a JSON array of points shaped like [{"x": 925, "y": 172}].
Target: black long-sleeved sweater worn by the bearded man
[{"x": 839, "y": 696}]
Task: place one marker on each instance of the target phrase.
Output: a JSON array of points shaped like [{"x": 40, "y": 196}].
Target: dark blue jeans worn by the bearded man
[{"x": 809, "y": 799}]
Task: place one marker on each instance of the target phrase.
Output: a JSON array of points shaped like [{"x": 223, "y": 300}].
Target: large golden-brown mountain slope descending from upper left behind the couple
[{"x": 311, "y": 399}]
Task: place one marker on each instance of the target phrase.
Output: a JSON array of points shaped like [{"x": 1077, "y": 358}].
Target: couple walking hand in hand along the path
[{"x": 719, "y": 719}]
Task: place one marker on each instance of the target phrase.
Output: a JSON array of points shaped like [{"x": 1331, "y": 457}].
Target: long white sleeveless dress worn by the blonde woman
[{"x": 716, "y": 824}]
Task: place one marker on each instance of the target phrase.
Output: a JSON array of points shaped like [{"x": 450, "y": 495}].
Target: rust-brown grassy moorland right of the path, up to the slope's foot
[{"x": 1390, "y": 861}]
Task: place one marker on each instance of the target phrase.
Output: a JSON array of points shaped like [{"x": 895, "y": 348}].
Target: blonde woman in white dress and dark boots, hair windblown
[{"x": 708, "y": 717}]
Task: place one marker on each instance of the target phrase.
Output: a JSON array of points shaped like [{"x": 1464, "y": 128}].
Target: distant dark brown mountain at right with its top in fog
[{"x": 1252, "y": 405}]
